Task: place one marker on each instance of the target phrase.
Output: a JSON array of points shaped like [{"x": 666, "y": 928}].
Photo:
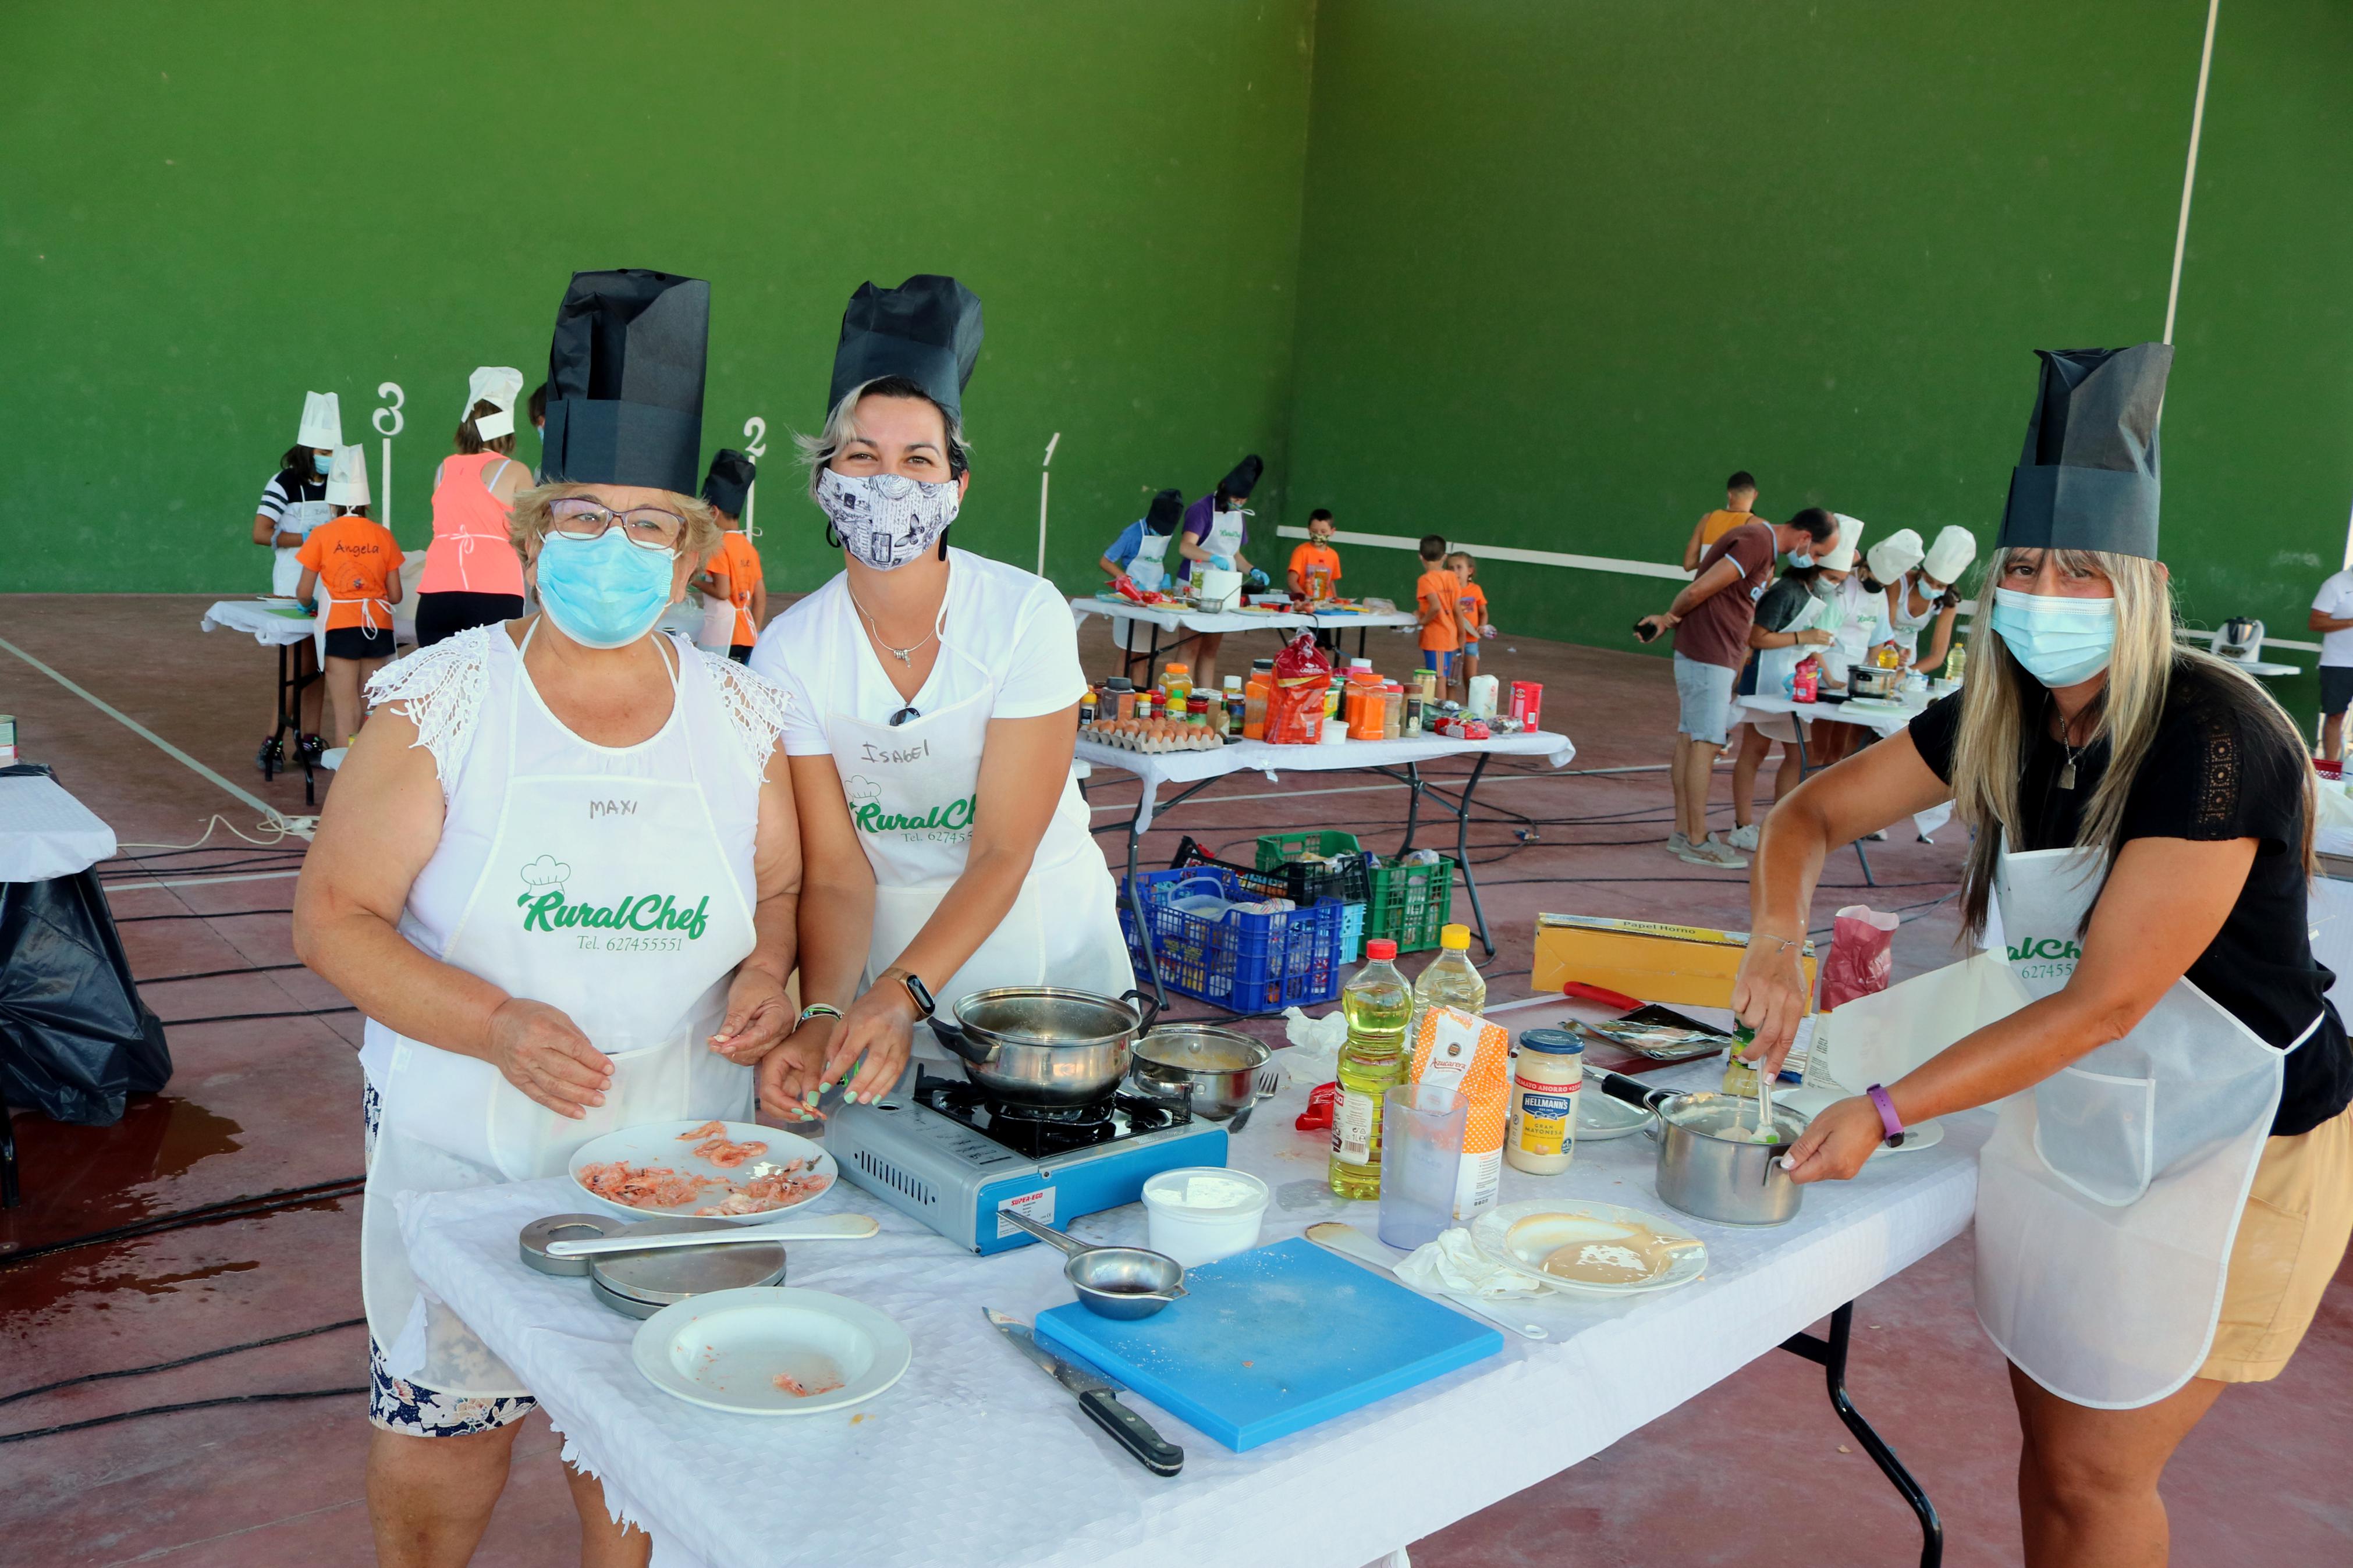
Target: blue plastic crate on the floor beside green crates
[{"x": 1244, "y": 963}]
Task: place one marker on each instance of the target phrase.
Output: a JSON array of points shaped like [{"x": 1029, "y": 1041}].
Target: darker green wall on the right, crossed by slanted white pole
[{"x": 1568, "y": 264}]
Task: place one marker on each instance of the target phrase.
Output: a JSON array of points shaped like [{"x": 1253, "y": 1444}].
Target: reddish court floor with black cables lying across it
[{"x": 1752, "y": 1473}]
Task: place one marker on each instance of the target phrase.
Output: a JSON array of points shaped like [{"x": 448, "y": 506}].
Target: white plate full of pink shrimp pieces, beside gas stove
[{"x": 731, "y": 1172}]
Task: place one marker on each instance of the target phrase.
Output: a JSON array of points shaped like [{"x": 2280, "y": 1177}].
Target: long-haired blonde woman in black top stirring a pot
[{"x": 2171, "y": 1181}]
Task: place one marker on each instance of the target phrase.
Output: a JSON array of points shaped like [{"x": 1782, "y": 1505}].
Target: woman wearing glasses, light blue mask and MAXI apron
[{"x": 559, "y": 876}]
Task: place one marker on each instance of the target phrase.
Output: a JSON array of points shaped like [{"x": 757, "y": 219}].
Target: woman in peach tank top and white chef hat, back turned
[{"x": 474, "y": 575}]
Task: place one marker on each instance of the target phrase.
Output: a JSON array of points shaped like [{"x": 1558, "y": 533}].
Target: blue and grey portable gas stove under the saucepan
[{"x": 954, "y": 1158}]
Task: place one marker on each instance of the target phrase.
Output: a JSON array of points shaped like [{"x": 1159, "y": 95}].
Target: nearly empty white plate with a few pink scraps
[{"x": 771, "y": 1351}]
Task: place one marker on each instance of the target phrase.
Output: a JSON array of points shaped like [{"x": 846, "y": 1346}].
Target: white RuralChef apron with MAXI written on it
[{"x": 604, "y": 894}]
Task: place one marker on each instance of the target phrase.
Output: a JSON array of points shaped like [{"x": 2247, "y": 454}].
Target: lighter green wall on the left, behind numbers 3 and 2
[{"x": 211, "y": 208}]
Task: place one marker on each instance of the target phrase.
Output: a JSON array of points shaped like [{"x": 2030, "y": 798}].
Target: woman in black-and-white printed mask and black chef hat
[{"x": 935, "y": 711}]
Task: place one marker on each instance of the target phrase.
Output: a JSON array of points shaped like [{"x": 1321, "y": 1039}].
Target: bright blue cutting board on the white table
[{"x": 1274, "y": 1341}]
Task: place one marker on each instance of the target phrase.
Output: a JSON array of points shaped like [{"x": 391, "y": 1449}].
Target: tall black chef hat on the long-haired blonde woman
[{"x": 2088, "y": 478}]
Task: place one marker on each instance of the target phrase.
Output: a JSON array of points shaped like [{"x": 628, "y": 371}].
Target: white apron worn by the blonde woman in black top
[{"x": 2109, "y": 1193}]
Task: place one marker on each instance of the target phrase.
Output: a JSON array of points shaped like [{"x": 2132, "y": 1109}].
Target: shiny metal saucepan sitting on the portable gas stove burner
[{"x": 1041, "y": 1045}]
